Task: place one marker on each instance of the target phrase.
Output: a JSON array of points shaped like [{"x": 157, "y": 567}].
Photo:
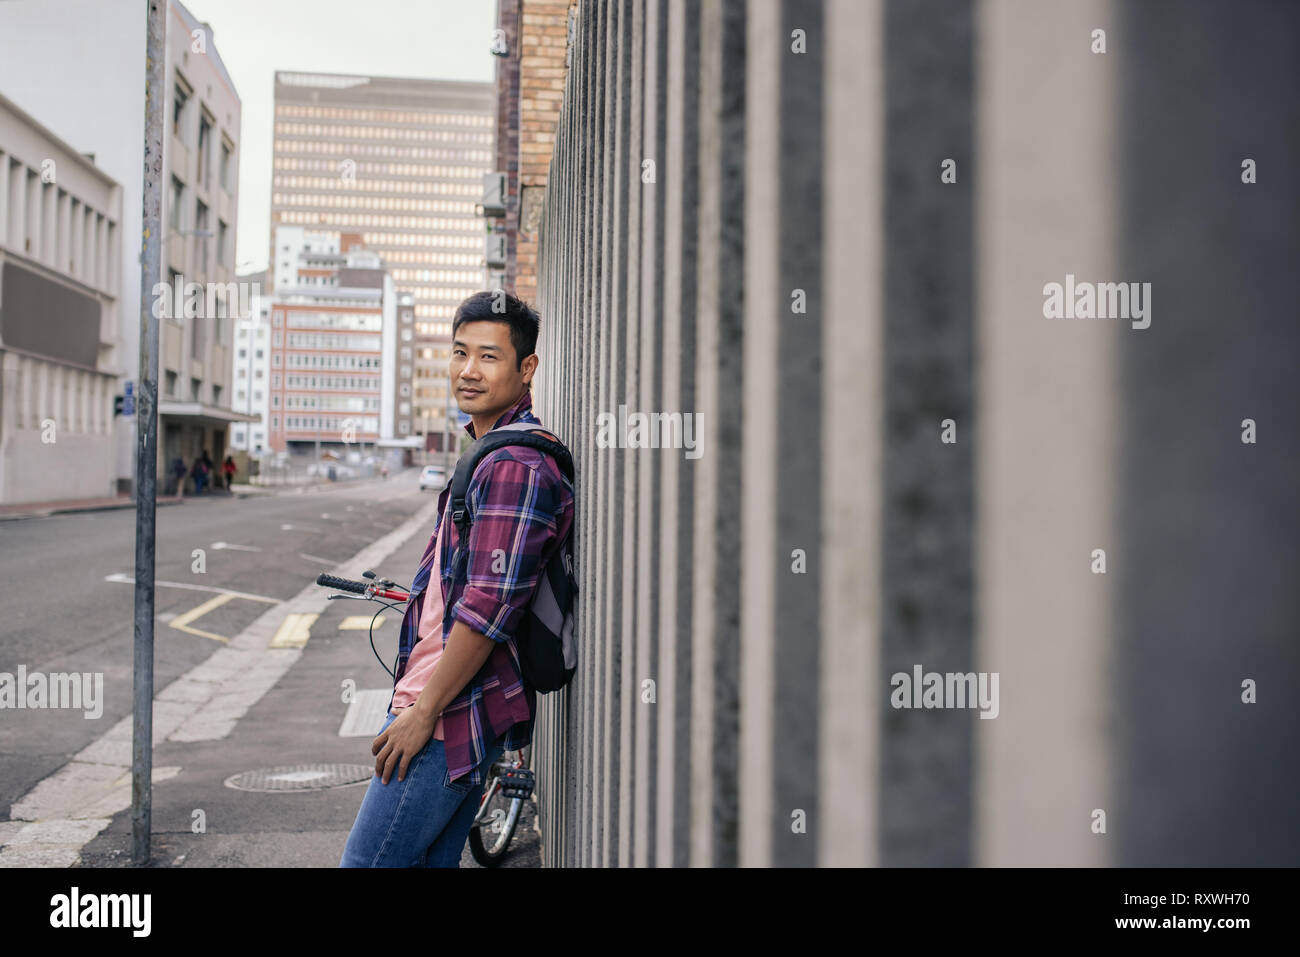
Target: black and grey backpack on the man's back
[{"x": 545, "y": 639}]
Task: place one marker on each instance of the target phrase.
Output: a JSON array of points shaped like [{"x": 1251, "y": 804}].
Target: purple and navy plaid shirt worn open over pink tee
[{"x": 522, "y": 508}]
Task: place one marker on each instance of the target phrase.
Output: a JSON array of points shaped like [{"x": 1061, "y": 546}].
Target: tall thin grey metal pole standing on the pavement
[{"x": 148, "y": 438}]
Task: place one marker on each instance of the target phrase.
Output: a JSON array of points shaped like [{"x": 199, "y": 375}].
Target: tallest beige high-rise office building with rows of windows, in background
[{"x": 400, "y": 163}]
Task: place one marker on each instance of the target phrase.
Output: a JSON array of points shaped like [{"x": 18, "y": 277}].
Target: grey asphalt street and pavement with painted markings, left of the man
[{"x": 240, "y": 705}]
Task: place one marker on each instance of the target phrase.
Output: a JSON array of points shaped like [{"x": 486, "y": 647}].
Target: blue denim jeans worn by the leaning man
[{"x": 421, "y": 821}]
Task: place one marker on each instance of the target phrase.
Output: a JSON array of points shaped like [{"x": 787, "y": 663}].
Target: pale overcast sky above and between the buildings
[{"x": 434, "y": 40}]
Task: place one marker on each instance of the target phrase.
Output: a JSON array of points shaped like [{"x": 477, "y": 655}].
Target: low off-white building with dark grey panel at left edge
[{"x": 60, "y": 321}]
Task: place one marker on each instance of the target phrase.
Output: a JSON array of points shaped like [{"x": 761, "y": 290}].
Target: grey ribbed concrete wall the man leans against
[{"x": 765, "y": 239}]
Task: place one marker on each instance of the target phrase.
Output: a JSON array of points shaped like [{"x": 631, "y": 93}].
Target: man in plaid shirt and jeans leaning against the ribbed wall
[{"x": 460, "y": 699}]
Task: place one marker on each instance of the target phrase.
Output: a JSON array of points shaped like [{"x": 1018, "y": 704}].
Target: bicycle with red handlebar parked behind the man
[{"x": 510, "y": 781}]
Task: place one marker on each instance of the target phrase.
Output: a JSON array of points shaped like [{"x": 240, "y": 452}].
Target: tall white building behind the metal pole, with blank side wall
[{"x": 79, "y": 67}]
